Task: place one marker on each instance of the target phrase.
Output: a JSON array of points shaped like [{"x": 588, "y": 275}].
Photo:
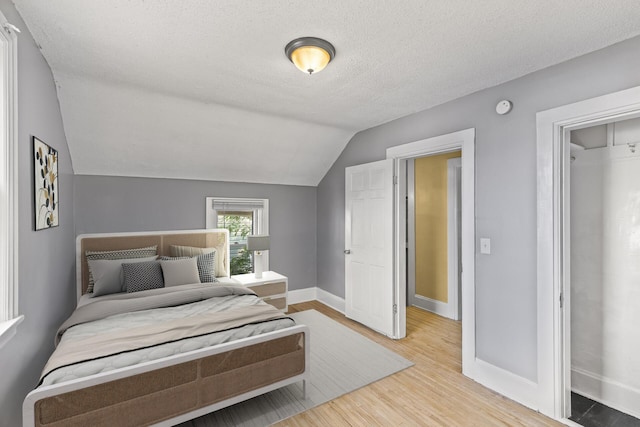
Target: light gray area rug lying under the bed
[{"x": 341, "y": 361}]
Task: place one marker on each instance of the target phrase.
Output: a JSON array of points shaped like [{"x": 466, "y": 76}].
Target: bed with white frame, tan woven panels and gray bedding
[{"x": 235, "y": 346}]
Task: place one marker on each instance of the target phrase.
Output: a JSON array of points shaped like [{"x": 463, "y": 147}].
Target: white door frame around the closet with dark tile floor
[{"x": 553, "y": 260}]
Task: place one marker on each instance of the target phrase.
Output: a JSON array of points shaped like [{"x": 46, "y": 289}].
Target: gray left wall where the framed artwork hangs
[{"x": 46, "y": 278}]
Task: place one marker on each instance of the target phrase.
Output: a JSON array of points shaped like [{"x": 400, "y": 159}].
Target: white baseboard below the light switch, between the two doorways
[{"x": 506, "y": 383}]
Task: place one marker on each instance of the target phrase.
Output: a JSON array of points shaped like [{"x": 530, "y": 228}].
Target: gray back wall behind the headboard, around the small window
[{"x": 116, "y": 204}]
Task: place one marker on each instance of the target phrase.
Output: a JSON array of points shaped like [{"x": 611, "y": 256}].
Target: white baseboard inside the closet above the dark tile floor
[{"x": 606, "y": 391}]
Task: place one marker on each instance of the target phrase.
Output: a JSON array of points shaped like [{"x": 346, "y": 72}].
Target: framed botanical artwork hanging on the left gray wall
[{"x": 45, "y": 190}]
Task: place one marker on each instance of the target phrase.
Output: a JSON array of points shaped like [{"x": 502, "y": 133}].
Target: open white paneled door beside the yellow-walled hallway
[{"x": 369, "y": 245}]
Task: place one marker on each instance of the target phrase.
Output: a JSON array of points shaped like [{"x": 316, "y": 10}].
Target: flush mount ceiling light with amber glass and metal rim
[{"x": 310, "y": 54}]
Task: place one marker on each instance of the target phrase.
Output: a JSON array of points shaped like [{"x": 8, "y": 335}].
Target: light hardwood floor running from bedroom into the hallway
[{"x": 433, "y": 392}]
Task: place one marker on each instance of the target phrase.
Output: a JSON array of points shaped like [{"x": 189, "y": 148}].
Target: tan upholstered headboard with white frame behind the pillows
[{"x": 163, "y": 239}]
